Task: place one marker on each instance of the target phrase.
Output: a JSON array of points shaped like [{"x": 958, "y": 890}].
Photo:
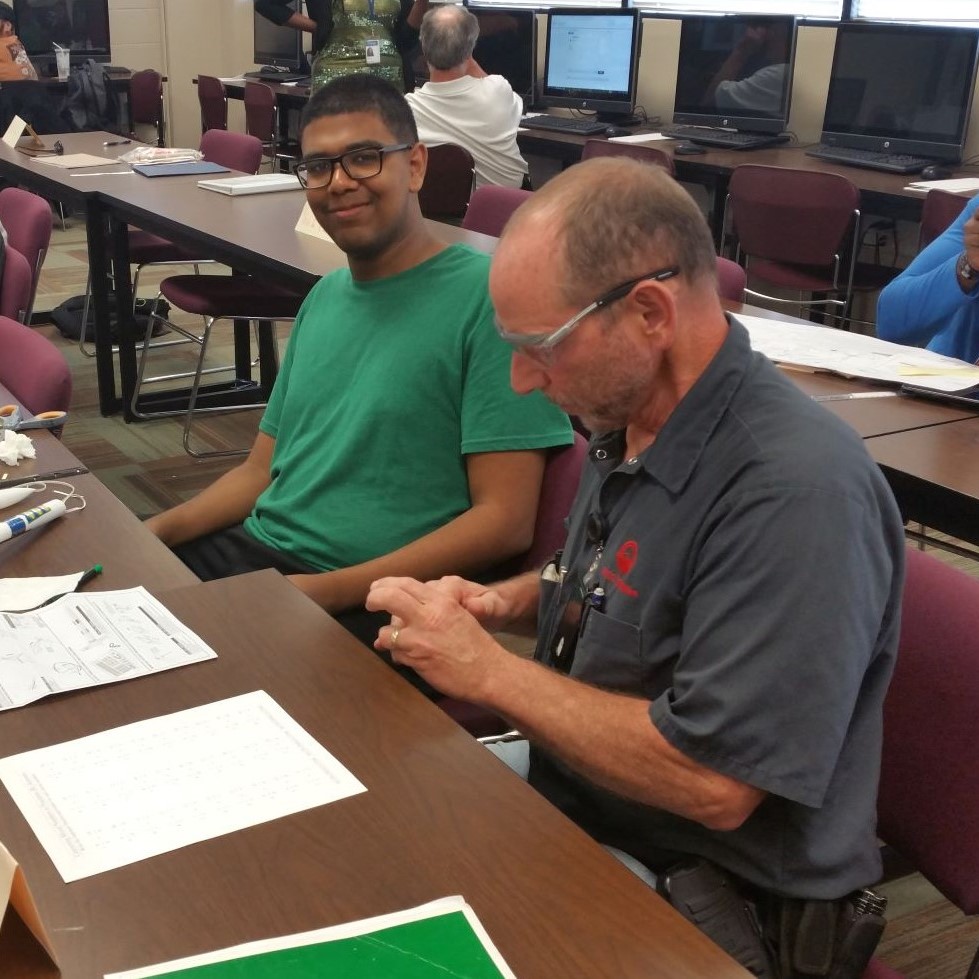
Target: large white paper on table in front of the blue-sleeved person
[{"x": 855, "y": 355}]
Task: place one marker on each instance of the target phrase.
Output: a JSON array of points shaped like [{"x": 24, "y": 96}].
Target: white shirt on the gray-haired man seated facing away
[{"x": 479, "y": 114}]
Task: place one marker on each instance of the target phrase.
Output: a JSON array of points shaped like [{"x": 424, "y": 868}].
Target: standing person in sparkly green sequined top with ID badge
[{"x": 351, "y": 36}]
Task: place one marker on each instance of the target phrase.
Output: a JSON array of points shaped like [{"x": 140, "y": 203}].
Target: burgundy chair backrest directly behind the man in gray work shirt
[{"x": 928, "y": 803}]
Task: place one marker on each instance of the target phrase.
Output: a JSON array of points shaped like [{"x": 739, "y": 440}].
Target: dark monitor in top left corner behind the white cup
[{"x": 82, "y": 26}]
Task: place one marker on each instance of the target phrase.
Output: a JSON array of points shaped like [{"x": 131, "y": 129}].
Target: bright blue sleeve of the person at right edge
[{"x": 919, "y": 303}]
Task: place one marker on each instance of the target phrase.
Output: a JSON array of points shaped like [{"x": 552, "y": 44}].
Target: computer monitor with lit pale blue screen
[{"x": 591, "y": 61}]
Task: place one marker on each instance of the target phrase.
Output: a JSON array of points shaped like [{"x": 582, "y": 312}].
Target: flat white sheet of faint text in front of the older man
[{"x": 147, "y": 788}]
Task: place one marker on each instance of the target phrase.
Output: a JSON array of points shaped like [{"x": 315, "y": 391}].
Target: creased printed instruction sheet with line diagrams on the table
[{"x": 83, "y": 640}]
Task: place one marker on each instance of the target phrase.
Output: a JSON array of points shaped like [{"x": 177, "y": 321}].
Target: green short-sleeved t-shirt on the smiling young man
[{"x": 385, "y": 387}]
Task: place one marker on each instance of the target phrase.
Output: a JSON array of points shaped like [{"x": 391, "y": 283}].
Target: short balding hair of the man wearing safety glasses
[{"x": 614, "y": 218}]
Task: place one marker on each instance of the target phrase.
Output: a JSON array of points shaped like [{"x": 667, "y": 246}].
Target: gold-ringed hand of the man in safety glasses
[{"x": 436, "y": 636}]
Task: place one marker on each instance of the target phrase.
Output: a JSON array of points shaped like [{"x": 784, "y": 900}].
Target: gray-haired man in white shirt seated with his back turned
[{"x": 462, "y": 104}]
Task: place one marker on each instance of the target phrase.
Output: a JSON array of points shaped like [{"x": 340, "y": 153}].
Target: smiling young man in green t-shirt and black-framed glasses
[{"x": 392, "y": 443}]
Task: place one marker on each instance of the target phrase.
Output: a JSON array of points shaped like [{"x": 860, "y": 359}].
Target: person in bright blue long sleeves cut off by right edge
[{"x": 934, "y": 302}]
